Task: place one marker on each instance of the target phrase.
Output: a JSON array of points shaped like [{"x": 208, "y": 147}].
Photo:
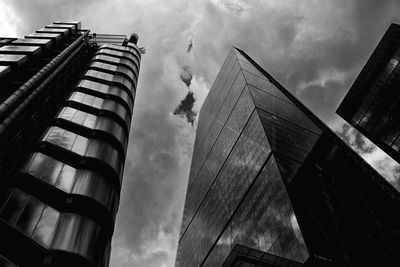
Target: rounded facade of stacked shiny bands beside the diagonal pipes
[{"x": 61, "y": 205}]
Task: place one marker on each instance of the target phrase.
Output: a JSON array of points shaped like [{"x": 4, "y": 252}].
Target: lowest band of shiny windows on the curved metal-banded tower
[{"x": 51, "y": 228}]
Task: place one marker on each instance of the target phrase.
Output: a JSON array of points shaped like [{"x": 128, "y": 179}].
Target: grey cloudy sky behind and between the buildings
[{"x": 315, "y": 48}]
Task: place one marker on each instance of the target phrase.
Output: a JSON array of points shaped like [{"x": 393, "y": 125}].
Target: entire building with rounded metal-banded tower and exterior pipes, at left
[{"x": 66, "y": 103}]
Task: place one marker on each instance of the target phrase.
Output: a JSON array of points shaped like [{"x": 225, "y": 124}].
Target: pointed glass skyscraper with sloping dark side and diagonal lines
[{"x": 271, "y": 185}]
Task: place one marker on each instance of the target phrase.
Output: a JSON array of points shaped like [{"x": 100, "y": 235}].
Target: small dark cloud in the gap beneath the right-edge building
[{"x": 355, "y": 139}]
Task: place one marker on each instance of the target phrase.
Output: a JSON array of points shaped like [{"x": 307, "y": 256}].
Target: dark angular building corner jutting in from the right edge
[{"x": 372, "y": 104}]
